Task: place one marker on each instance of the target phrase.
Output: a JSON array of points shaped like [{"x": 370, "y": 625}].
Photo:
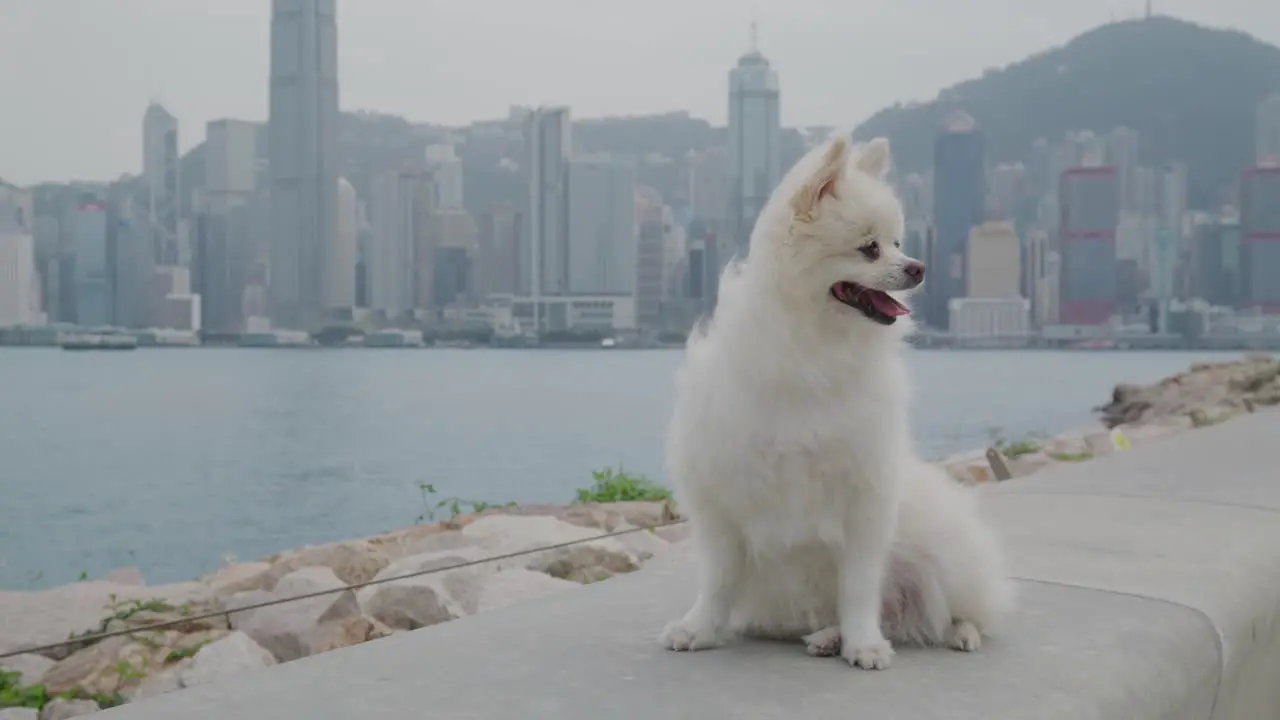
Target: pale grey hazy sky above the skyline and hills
[{"x": 77, "y": 75}]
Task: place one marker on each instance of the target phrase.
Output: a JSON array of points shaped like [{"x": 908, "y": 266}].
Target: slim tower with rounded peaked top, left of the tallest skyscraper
[{"x": 161, "y": 172}]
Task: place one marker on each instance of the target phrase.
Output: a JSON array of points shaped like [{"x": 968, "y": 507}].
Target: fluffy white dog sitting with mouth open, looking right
[{"x": 790, "y": 448}]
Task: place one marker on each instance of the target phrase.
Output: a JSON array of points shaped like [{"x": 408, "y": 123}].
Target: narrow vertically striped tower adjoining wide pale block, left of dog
[{"x": 547, "y": 151}]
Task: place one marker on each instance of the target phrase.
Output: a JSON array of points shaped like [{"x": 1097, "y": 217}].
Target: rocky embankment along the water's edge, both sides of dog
[{"x": 84, "y": 677}]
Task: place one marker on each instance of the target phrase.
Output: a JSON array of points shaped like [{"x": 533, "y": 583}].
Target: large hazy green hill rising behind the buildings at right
[{"x": 1191, "y": 93}]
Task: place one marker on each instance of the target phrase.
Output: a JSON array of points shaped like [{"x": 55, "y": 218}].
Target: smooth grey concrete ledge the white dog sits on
[{"x": 1150, "y": 590}]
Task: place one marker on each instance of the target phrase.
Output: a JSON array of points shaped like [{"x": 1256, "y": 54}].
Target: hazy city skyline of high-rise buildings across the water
[{"x": 245, "y": 238}]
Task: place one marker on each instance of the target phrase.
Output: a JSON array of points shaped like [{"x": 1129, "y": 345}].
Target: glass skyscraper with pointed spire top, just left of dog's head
[{"x": 753, "y": 143}]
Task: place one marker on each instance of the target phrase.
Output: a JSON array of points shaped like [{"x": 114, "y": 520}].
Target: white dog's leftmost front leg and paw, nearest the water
[{"x": 721, "y": 564}]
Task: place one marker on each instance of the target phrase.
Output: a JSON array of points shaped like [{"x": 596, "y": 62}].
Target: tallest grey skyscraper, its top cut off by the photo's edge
[{"x": 303, "y": 143}]
